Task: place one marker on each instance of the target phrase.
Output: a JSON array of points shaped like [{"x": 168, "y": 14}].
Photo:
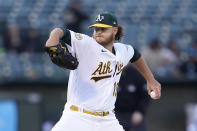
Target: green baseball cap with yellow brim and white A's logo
[{"x": 105, "y": 20}]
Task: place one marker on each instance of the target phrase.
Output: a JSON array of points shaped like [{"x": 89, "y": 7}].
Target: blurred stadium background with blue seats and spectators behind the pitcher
[{"x": 33, "y": 90}]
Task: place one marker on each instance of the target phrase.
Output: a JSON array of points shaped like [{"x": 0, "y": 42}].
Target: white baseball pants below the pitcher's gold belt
[{"x": 79, "y": 121}]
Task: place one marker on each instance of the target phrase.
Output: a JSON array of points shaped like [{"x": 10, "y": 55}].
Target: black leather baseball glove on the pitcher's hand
[{"x": 62, "y": 57}]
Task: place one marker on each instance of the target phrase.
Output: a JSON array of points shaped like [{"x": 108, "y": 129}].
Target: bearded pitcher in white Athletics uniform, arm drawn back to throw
[{"x": 96, "y": 64}]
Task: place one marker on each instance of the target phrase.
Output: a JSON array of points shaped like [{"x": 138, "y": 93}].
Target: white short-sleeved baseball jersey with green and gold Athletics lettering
[{"x": 93, "y": 85}]
